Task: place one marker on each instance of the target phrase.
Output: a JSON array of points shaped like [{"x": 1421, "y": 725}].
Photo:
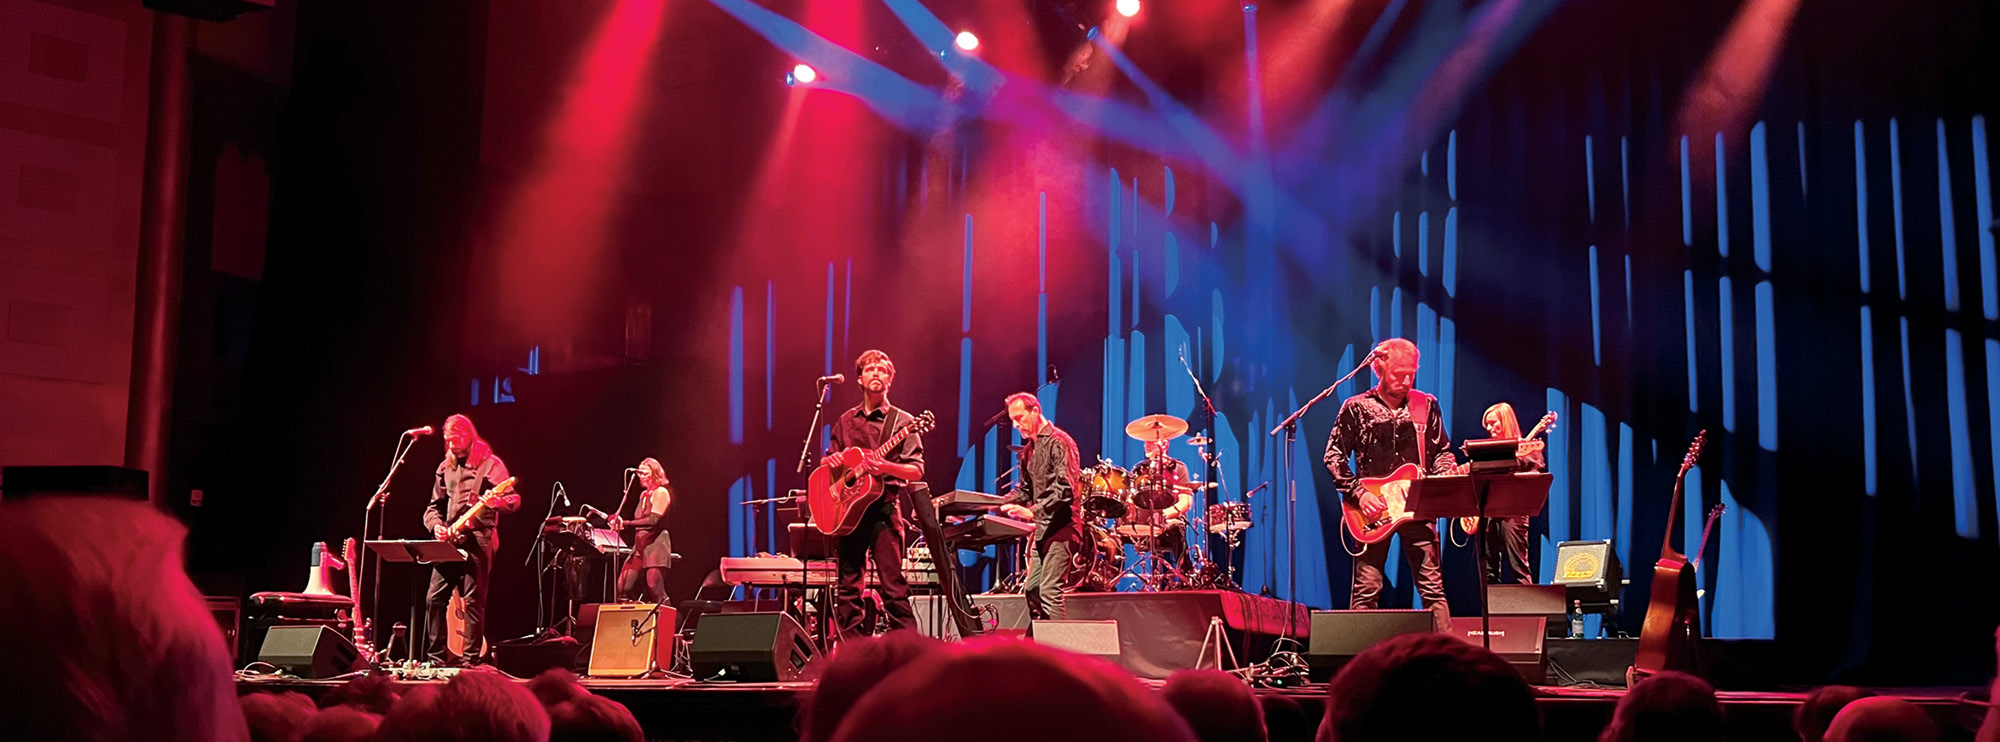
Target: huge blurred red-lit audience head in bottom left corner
[{"x": 125, "y": 649}]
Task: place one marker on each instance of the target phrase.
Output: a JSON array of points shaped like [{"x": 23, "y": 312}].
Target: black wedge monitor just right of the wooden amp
[{"x": 767, "y": 647}]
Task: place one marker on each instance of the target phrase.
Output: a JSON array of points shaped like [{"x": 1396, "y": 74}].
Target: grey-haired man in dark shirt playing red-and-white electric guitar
[{"x": 1379, "y": 431}]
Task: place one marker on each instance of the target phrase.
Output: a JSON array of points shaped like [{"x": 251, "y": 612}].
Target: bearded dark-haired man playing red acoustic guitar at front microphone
[{"x": 881, "y": 531}]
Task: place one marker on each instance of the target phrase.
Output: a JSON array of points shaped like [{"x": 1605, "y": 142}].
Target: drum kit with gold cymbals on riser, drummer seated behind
[{"x": 1149, "y": 507}]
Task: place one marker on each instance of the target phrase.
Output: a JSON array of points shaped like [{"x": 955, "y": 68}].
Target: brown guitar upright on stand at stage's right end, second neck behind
[{"x": 1673, "y": 615}]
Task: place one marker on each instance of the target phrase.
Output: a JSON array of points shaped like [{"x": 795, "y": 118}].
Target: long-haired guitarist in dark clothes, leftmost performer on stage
[{"x": 463, "y": 479}]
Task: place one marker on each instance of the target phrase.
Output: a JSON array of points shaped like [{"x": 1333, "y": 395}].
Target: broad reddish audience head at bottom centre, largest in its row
[{"x": 1023, "y": 691}]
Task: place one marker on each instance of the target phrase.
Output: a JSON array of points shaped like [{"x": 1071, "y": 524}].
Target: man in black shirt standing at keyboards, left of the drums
[{"x": 1049, "y": 473}]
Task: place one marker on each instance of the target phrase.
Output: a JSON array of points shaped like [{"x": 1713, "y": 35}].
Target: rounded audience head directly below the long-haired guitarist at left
[{"x": 475, "y": 707}]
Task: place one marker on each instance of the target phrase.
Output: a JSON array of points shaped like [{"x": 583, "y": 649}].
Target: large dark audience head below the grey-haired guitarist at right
[{"x": 1457, "y": 689}]
